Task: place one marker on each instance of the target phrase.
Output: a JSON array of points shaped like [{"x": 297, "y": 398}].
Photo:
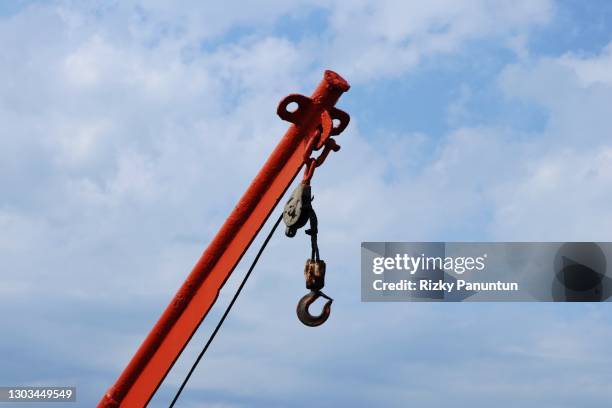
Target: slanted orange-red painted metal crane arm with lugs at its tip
[{"x": 161, "y": 348}]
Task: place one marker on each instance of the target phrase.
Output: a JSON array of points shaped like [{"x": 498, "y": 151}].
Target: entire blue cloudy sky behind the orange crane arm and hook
[{"x": 129, "y": 130}]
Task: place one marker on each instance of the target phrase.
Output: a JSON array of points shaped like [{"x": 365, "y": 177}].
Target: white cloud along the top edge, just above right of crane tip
[{"x": 374, "y": 40}]
